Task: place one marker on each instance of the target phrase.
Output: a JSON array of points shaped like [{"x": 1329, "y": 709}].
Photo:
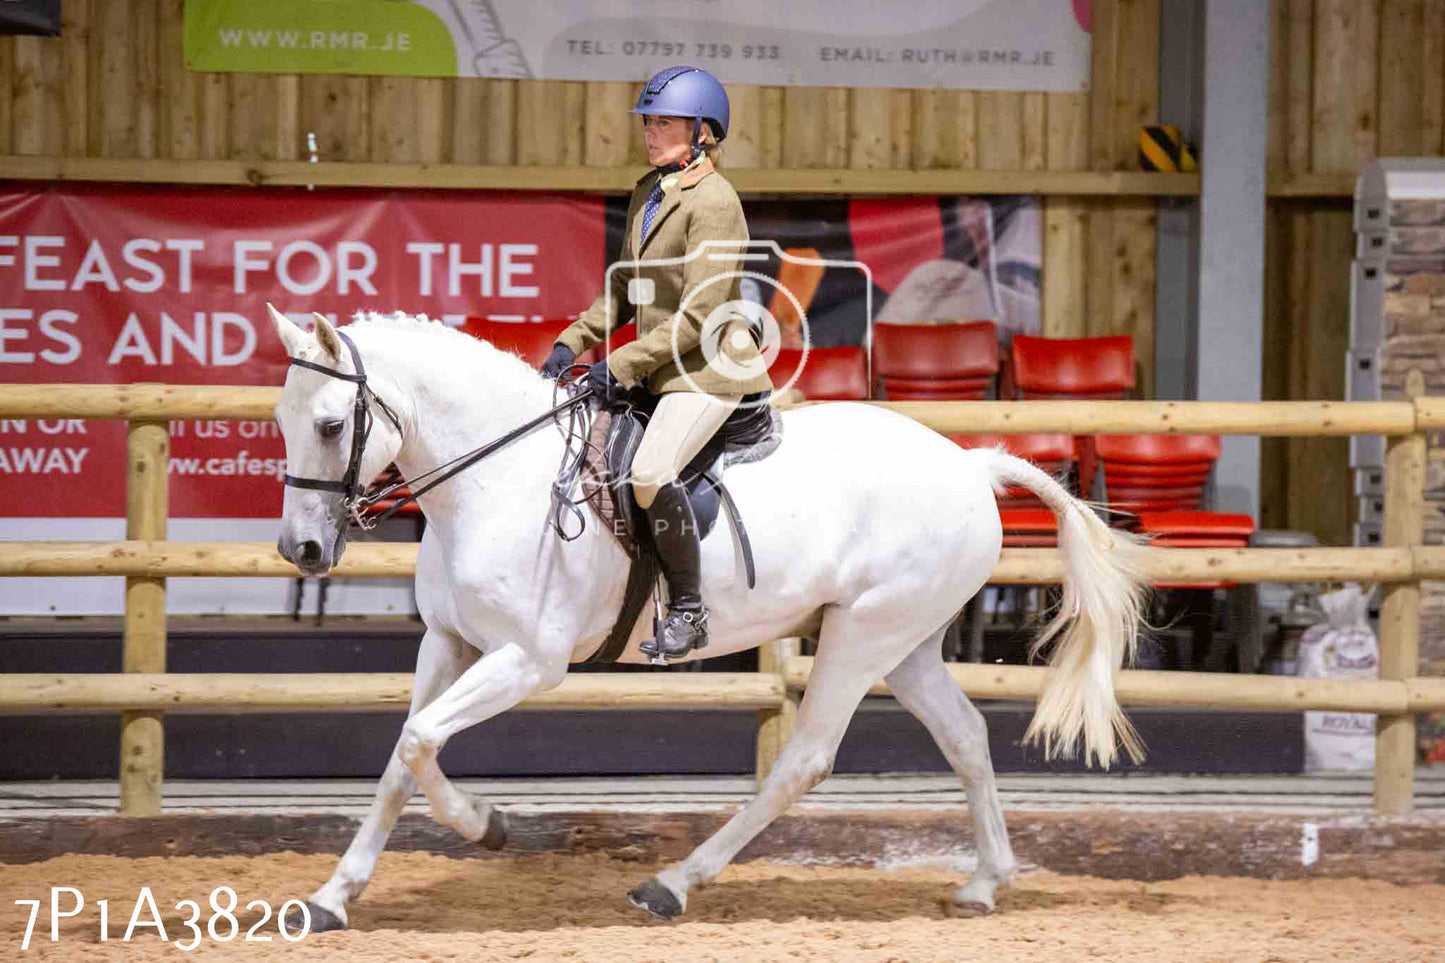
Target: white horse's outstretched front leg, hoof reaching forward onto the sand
[{"x": 440, "y": 662}]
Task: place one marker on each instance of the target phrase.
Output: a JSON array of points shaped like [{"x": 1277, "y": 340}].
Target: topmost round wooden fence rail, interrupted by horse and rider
[{"x": 1095, "y": 417}]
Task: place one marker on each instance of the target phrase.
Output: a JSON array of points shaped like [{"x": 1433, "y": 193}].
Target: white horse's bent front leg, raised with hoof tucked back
[{"x": 495, "y": 685}]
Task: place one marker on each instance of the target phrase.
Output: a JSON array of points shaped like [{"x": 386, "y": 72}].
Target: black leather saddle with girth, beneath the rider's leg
[{"x": 751, "y": 435}]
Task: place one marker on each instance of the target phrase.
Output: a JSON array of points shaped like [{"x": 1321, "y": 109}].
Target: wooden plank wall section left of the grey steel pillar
[{"x": 116, "y": 86}]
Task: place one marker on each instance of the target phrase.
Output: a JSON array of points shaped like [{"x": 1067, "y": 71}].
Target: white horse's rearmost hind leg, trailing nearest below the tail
[{"x": 924, "y": 686}]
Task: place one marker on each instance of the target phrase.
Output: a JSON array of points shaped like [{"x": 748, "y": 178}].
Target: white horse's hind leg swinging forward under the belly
[{"x": 853, "y": 653}]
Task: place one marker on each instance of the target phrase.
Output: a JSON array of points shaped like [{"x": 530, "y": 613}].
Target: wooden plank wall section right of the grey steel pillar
[{"x": 1352, "y": 80}]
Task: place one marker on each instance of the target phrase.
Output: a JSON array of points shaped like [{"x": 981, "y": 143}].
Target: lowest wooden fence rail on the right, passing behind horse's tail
[{"x": 1203, "y": 690}]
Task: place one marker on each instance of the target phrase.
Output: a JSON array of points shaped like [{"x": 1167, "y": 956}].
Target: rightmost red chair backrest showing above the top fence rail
[{"x": 1097, "y": 369}]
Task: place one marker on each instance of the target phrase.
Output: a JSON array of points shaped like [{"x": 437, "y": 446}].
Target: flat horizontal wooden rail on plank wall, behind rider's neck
[{"x": 593, "y": 180}]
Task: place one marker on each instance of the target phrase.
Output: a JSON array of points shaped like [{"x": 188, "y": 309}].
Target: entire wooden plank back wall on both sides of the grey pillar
[{"x": 1352, "y": 80}]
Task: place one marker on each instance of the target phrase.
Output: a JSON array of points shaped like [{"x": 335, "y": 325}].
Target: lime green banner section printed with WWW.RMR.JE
[{"x": 317, "y": 37}]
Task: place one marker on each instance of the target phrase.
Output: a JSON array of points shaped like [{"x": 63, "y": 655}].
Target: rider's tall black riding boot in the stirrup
[{"x": 676, "y": 534}]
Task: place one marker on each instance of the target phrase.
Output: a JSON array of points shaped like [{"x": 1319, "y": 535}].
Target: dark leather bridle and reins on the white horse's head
[{"x": 352, "y": 488}]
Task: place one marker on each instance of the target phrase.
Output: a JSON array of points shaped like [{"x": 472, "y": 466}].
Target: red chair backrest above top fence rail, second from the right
[{"x": 934, "y": 362}]
